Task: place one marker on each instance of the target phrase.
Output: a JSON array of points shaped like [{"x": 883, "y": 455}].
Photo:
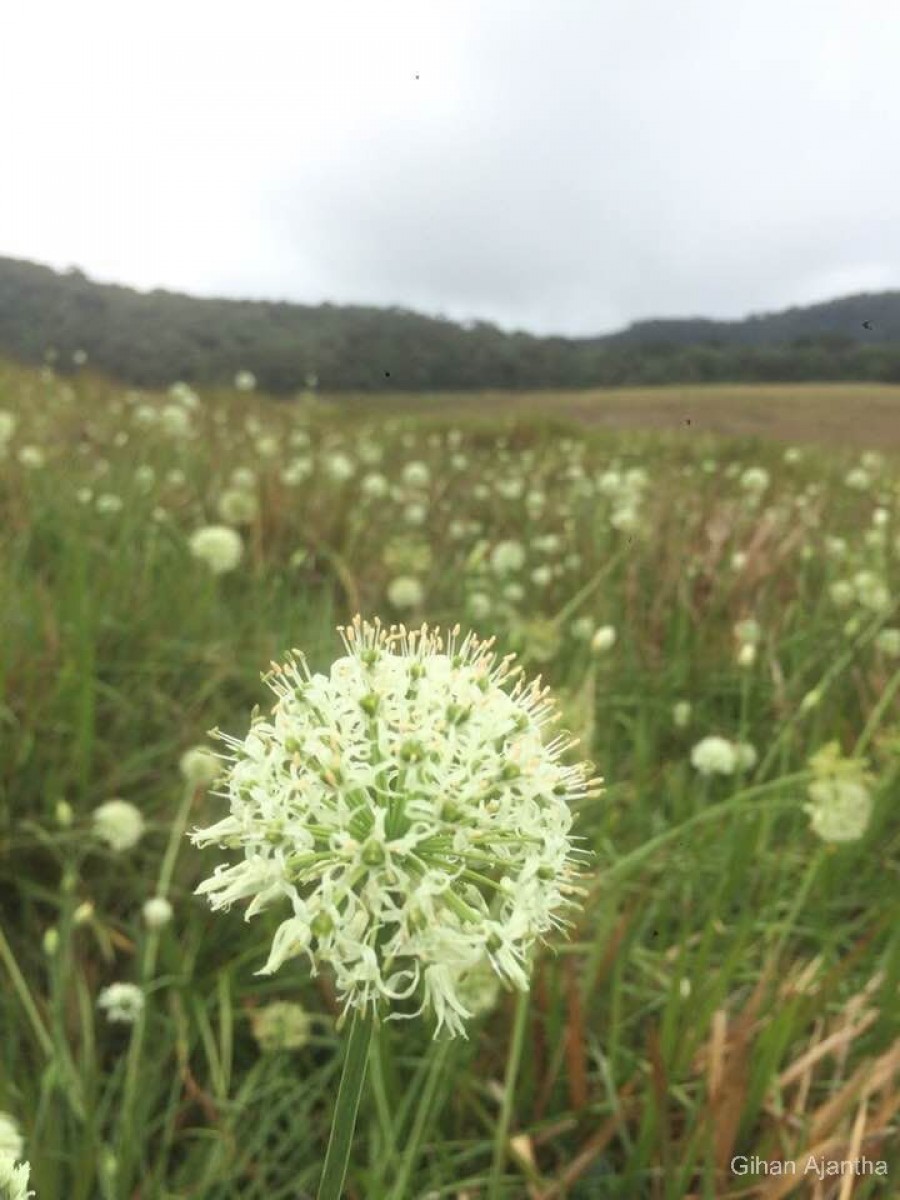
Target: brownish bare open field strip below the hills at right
[{"x": 859, "y": 415}]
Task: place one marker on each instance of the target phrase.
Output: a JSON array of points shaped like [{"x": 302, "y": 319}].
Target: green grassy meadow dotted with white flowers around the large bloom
[{"x": 729, "y": 992}]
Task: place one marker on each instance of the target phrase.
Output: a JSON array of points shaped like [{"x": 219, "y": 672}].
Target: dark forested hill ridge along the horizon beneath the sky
[{"x": 153, "y": 339}]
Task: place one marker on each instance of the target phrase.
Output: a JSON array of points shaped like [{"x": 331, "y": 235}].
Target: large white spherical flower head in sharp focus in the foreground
[{"x": 409, "y": 809}]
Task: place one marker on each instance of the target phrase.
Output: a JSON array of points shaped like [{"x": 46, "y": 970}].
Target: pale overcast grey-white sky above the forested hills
[{"x": 565, "y": 166}]
